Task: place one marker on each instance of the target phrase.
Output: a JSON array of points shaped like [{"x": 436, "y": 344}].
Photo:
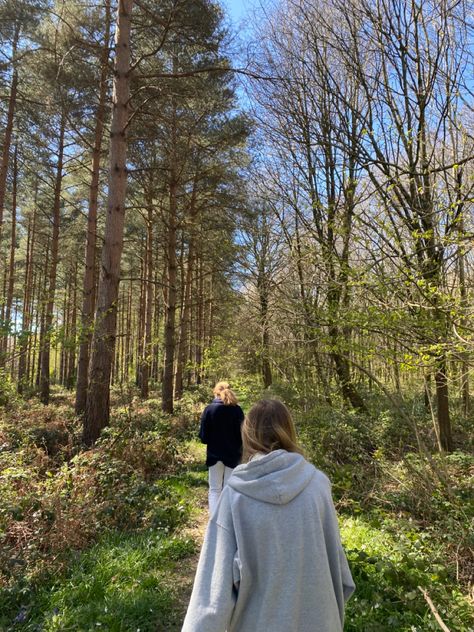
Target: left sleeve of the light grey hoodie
[{"x": 214, "y": 594}]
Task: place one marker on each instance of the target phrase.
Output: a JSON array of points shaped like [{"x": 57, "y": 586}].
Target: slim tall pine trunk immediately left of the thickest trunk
[{"x": 88, "y": 300}]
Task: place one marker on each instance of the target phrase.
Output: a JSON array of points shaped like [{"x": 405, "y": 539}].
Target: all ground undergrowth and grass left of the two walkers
[{"x": 95, "y": 539}]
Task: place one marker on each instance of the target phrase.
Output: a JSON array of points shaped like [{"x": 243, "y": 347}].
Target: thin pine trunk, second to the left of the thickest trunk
[{"x": 50, "y": 294}]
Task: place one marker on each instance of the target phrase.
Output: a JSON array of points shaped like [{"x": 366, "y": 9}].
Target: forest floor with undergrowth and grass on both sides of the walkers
[{"x": 109, "y": 538}]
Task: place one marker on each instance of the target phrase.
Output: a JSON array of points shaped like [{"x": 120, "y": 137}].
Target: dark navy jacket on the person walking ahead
[{"x": 220, "y": 430}]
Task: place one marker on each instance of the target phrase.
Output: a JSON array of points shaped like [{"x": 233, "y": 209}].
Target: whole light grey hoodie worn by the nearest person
[{"x": 272, "y": 559}]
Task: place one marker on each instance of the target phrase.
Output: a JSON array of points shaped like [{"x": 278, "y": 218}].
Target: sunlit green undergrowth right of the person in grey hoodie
[{"x": 407, "y": 519}]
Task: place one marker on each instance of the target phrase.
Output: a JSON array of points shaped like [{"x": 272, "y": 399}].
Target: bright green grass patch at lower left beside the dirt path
[{"x": 122, "y": 583}]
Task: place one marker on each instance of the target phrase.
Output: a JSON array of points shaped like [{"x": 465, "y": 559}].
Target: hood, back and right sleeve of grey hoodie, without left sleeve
[{"x": 291, "y": 567}]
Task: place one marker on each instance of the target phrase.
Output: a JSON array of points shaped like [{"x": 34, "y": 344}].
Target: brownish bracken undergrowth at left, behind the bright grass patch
[{"x": 57, "y": 501}]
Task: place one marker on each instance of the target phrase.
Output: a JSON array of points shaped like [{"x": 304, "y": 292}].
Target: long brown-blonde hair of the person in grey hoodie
[{"x": 268, "y": 426}]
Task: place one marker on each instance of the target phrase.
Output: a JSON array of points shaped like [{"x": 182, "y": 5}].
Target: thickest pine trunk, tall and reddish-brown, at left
[{"x": 103, "y": 342}]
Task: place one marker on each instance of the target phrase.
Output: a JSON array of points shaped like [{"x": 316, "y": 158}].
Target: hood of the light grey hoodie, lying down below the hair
[{"x": 275, "y": 478}]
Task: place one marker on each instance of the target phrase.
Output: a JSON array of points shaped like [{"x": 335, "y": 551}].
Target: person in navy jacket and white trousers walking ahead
[{"x": 220, "y": 431}]
